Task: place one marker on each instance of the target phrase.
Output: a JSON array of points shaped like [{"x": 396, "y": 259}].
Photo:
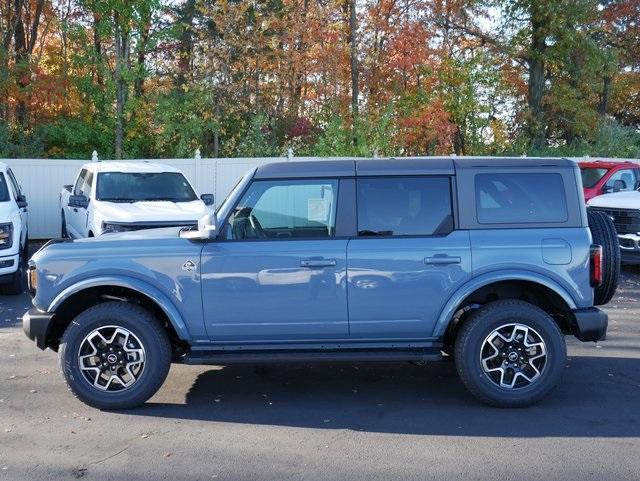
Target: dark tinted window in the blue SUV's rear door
[{"x": 394, "y": 206}]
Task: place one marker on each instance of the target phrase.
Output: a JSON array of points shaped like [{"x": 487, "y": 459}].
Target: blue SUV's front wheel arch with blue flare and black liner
[{"x": 81, "y": 295}]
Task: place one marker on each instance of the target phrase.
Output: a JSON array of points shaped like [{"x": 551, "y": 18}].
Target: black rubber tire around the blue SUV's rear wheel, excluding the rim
[{"x": 480, "y": 324}]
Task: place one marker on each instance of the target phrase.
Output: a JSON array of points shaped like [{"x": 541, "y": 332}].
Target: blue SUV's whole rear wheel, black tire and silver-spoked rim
[{"x": 510, "y": 353}]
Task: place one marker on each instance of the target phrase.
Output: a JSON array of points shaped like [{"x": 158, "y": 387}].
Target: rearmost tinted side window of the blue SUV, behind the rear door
[{"x": 520, "y": 198}]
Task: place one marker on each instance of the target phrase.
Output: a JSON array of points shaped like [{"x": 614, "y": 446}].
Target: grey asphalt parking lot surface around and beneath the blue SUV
[{"x": 327, "y": 422}]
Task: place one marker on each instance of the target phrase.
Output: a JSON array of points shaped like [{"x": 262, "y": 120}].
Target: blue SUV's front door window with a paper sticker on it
[{"x": 285, "y": 209}]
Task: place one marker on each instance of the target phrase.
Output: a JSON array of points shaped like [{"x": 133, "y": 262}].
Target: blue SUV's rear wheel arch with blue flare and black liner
[{"x": 536, "y": 289}]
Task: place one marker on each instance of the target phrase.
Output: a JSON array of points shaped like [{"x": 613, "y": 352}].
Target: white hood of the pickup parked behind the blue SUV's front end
[{"x": 150, "y": 211}]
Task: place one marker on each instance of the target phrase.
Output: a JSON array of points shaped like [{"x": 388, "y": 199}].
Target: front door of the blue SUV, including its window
[{"x": 278, "y": 273}]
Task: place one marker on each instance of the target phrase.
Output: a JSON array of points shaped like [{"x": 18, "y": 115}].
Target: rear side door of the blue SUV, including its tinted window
[{"x": 407, "y": 258}]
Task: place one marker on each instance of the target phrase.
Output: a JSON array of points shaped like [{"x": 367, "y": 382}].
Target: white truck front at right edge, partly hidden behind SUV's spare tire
[{"x": 624, "y": 209}]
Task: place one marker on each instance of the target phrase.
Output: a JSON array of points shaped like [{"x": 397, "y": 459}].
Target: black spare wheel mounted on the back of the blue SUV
[{"x": 604, "y": 233}]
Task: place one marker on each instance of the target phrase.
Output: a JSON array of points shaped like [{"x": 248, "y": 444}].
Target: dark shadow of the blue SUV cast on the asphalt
[{"x": 595, "y": 400}]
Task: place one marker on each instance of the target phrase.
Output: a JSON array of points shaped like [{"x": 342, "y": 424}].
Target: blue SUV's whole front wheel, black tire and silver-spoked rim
[{"x": 114, "y": 355}]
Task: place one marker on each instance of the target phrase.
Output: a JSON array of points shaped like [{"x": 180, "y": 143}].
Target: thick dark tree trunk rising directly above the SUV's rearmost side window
[{"x": 536, "y": 81}]
